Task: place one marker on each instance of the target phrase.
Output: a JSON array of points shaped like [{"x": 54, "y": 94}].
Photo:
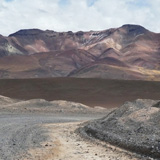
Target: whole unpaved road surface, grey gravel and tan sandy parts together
[{"x": 46, "y": 137}]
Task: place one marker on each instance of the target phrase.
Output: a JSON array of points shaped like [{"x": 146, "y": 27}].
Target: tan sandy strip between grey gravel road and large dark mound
[{"x": 65, "y": 144}]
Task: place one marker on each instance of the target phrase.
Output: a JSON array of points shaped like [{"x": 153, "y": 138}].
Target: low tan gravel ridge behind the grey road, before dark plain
[{"x": 41, "y": 105}]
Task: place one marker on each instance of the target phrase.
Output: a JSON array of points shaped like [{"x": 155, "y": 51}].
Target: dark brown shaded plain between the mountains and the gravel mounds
[{"x": 89, "y": 91}]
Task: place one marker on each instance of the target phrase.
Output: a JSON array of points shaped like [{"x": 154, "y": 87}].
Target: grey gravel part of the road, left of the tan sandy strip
[{"x": 18, "y": 133}]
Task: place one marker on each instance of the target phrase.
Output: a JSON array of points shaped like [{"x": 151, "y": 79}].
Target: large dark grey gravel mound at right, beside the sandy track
[{"x": 134, "y": 126}]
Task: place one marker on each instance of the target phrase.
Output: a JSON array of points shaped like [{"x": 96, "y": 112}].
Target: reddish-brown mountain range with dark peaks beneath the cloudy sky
[{"x": 128, "y": 52}]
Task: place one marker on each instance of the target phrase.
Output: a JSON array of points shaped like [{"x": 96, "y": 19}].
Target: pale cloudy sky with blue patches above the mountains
[{"x": 76, "y": 15}]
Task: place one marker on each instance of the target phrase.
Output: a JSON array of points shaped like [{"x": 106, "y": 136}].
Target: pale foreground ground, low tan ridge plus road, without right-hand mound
[{"x": 48, "y": 130}]
